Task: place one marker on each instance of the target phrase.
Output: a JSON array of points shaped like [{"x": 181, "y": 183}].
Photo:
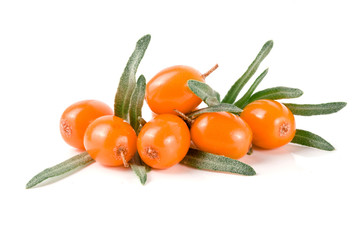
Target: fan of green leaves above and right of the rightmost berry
[{"x": 212, "y": 99}]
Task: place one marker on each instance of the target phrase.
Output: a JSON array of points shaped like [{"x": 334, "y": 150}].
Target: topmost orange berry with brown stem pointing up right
[{"x": 168, "y": 90}]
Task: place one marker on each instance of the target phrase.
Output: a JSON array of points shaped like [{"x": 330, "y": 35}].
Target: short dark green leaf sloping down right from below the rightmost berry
[{"x": 310, "y": 139}]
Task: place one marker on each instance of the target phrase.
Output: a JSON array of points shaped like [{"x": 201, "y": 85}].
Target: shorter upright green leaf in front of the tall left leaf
[{"x": 136, "y": 103}]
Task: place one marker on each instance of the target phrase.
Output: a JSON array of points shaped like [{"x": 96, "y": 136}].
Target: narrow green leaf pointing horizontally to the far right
[{"x": 315, "y": 109}]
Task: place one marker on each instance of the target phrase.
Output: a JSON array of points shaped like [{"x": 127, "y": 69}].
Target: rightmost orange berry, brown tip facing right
[{"x": 272, "y": 123}]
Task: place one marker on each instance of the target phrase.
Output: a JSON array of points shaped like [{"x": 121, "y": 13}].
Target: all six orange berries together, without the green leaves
[{"x": 165, "y": 140}]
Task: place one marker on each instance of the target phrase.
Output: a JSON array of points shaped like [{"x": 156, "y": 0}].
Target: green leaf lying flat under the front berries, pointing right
[{"x": 208, "y": 161}]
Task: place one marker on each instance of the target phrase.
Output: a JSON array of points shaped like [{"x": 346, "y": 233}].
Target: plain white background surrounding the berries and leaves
[{"x": 54, "y": 53}]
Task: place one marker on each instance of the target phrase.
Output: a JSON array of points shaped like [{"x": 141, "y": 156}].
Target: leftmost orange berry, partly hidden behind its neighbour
[{"x": 77, "y": 117}]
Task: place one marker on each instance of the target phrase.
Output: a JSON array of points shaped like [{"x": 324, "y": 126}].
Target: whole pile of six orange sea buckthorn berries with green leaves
[{"x": 211, "y": 138}]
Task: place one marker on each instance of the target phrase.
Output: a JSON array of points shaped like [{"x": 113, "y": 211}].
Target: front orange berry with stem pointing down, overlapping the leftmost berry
[{"x": 110, "y": 141}]
